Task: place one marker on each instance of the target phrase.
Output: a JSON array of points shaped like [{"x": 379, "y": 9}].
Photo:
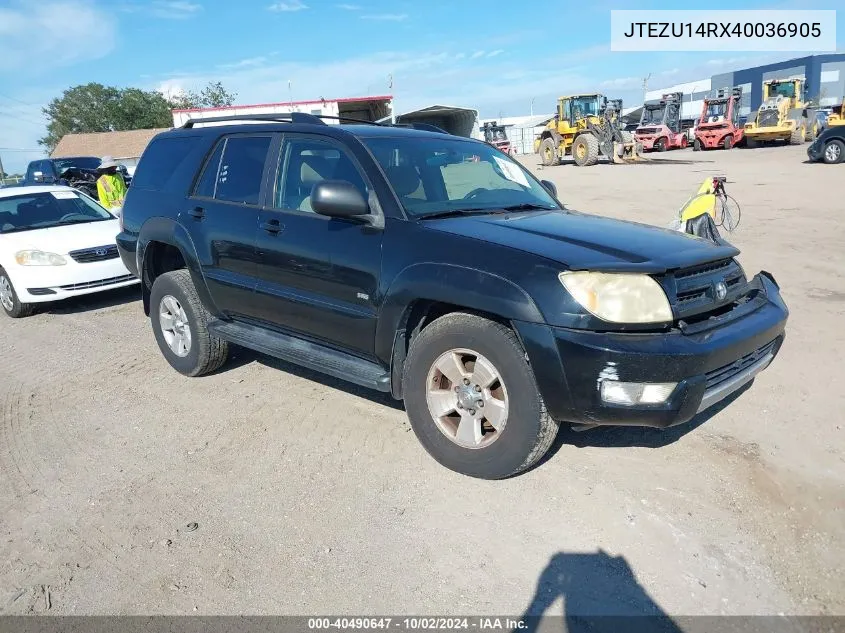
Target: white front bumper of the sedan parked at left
[{"x": 39, "y": 284}]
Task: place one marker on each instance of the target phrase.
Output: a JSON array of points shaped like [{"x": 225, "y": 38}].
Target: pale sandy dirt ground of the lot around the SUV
[{"x": 311, "y": 496}]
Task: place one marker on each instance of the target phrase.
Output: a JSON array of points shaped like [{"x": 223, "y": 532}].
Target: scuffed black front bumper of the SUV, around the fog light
[{"x": 709, "y": 361}]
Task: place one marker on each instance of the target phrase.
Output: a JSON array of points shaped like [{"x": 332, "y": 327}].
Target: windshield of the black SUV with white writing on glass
[{"x": 433, "y": 176}]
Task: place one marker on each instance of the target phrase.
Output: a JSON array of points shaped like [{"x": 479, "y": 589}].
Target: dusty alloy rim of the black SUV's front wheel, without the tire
[{"x": 467, "y": 398}]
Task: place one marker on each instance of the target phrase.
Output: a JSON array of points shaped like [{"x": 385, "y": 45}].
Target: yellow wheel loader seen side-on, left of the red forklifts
[{"x": 587, "y": 127}]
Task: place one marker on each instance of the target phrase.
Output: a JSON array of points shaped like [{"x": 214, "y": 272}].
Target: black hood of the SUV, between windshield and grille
[{"x": 589, "y": 242}]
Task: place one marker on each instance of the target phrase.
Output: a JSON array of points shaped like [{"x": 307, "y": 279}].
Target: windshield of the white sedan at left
[{"x": 51, "y": 208}]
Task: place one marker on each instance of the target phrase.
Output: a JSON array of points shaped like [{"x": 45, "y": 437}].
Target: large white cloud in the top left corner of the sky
[{"x": 59, "y": 31}]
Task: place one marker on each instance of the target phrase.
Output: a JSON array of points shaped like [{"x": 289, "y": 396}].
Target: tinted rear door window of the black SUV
[{"x": 241, "y": 169}]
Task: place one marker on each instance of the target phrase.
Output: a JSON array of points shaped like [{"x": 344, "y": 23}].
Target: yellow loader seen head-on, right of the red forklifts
[{"x": 783, "y": 116}]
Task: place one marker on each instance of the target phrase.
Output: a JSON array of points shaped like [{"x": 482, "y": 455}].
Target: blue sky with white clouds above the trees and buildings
[{"x": 494, "y": 55}]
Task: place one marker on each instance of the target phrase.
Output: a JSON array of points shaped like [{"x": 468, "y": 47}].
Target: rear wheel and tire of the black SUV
[{"x": 180, "y": 324}]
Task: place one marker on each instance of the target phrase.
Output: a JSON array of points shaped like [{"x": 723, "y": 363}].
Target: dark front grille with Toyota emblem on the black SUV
[{"x": 693, "y": 291}]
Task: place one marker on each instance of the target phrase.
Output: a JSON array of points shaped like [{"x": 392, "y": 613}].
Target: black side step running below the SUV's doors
[{"x": 304, "y": 353}]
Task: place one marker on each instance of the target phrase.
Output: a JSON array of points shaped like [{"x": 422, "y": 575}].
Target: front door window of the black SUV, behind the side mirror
[{"x": 305, "y": 162}]
